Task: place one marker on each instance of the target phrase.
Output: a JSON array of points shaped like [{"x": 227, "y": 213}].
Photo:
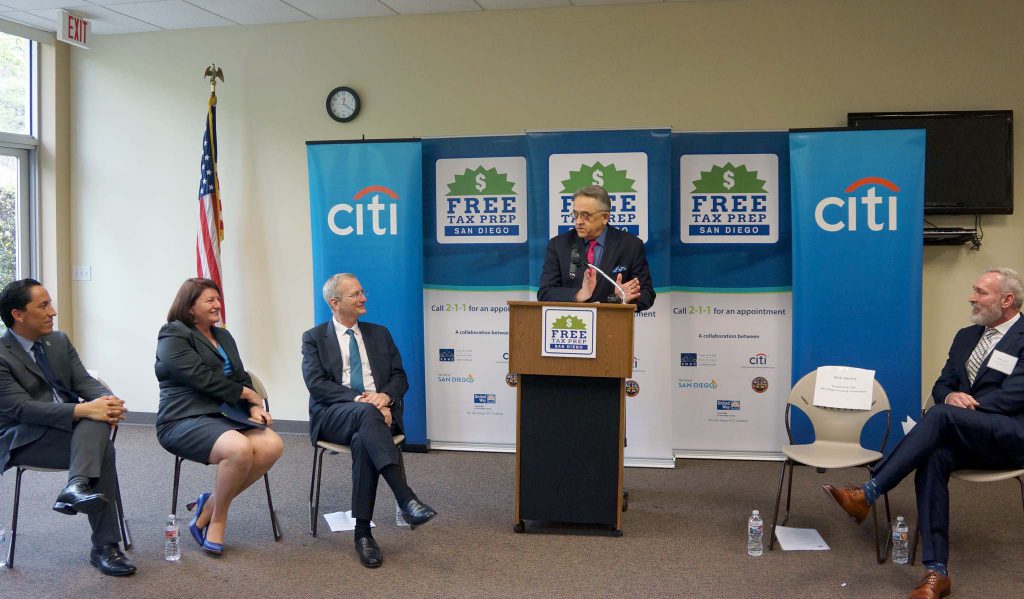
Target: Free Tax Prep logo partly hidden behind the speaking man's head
[{"x": 623, "y": 176}]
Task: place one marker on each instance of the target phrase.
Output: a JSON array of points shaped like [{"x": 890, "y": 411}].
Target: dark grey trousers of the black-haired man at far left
[{"x": 86, "y": 452}]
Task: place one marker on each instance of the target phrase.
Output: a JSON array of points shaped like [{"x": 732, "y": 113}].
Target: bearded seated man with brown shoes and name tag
[{"x": 977, "y": 423}]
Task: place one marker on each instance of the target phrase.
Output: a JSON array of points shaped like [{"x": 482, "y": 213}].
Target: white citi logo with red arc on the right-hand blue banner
[{"x": 861, "y": 209}]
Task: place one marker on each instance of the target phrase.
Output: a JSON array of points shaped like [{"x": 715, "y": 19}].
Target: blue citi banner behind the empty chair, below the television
[{"x": 858, "y": 215}]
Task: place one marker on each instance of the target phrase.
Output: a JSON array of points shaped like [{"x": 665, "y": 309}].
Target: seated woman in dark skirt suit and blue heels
[{"x": 199, "y": 370}]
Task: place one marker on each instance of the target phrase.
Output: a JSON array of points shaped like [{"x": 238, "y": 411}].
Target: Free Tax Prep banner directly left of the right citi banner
[{"x": 732, "y": 301}]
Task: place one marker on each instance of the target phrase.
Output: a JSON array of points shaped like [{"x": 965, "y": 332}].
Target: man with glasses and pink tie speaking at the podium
[{"x": 567, "y": 277}]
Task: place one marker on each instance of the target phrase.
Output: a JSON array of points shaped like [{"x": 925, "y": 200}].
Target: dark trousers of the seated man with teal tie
[{"x": 362, "y": 427}]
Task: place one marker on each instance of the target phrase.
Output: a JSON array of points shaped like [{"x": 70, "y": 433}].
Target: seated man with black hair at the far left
[{"x": 55, "y": 415}]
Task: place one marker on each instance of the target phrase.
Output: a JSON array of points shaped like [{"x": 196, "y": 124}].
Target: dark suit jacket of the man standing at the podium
[{"x": 623, "y": 253}]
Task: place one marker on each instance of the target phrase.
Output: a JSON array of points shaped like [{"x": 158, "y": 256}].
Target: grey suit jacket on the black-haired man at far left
[{"x": 27, "y": 407}]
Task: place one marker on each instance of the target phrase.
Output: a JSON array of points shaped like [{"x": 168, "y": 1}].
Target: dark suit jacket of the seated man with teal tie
[{"x": 322, "y": 366}]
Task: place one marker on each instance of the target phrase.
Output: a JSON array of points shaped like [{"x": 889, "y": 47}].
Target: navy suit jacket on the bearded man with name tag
[{"x": 996, "y": 392}]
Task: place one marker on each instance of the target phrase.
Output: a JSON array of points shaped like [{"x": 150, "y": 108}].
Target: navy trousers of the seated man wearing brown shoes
[{"x": 948, "y": 439}]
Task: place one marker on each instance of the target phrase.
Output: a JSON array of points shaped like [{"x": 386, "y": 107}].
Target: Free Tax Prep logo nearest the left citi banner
[{"x": 482, "y": 201}]
